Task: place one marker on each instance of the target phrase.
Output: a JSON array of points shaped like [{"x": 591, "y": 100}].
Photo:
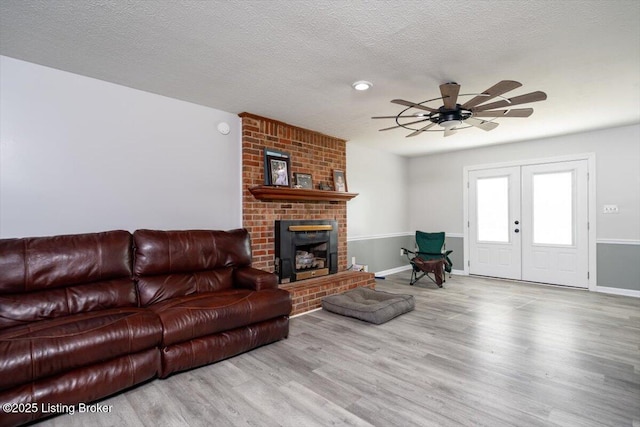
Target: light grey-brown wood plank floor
[{"x": 479, "y": 352}]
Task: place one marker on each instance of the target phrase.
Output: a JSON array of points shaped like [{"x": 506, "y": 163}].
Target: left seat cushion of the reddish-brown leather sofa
[{"x": 50, "y": 347}]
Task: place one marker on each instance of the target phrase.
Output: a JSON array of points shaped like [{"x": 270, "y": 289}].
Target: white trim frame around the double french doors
[{"x": 591, "y": 203}]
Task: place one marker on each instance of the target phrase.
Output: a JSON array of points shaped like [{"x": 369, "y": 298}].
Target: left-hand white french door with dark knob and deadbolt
[{"x": 494, "y": 215}]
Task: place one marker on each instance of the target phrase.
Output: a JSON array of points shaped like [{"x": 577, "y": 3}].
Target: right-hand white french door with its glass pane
[{"x": 555, "y": 223}]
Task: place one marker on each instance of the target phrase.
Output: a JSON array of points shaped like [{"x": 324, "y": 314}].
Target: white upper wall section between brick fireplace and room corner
[{"x": 380, "y": 178}]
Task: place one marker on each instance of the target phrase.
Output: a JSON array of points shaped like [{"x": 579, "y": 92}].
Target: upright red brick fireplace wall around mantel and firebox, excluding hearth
[{"x": 310, "y": 152}]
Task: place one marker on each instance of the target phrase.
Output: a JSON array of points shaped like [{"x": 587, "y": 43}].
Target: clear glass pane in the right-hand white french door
[{"x": 553, "y": 208}]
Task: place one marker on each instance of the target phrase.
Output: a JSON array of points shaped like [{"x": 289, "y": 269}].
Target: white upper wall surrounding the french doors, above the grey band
[{"x": 438, "y": 179}]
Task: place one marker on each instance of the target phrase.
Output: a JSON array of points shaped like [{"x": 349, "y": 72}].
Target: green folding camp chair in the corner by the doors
[{"x": 431, "y": 256}]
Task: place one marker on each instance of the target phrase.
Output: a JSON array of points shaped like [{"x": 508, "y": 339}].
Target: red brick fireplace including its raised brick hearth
[{"x": 311, "y": 153}]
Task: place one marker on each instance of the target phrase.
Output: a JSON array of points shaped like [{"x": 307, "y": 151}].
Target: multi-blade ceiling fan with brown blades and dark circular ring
[{"x": 452, "y": 116}]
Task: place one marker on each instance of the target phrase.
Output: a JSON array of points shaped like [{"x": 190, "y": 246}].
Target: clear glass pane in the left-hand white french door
[{"x": 493, "y": 209}]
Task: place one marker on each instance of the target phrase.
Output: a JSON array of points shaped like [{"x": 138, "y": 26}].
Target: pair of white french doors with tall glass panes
[{"x": 530, "y": 223}]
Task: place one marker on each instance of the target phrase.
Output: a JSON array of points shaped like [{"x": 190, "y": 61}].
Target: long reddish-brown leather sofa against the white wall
[{"x": 85, "y": 316}]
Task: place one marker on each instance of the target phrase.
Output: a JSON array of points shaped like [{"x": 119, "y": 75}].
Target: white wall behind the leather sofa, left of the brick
[{"x": 81, "y": 155}]
